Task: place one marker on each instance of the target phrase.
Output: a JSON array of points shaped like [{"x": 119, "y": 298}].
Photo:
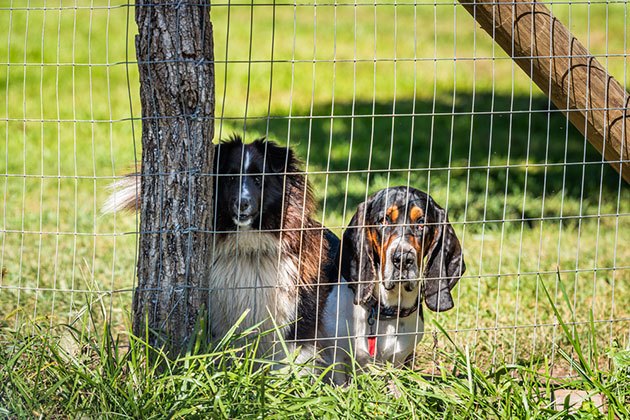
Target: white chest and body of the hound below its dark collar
[{"x": 347, "y": 330}]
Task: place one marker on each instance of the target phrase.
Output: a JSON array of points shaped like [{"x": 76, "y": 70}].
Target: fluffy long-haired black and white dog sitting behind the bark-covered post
[{"x": 271, "y": 257}]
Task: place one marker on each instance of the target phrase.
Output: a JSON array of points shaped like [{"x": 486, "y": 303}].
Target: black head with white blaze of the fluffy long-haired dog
[{"x": 251, "y": 183}]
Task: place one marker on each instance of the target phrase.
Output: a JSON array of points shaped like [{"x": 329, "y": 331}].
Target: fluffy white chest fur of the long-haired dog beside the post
[{"x": 251, "y": 273}]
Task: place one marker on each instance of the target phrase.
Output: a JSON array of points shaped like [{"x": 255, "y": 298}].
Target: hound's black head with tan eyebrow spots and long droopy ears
[{"x": 397, "y": 238}]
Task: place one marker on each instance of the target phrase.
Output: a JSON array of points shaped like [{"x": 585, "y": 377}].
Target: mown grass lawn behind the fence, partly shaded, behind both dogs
[{"x": 461, "y": 130}]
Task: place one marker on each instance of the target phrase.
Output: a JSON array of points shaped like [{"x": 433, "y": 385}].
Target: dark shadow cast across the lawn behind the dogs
[{"x": 499, "y": 162}]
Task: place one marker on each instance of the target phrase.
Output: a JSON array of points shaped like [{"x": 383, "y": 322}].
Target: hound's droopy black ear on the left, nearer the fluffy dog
[{"x": 357, "y": 258}]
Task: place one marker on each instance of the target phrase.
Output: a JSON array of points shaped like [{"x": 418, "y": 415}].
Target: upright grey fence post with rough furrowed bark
[{"x": 176, "y": 63}]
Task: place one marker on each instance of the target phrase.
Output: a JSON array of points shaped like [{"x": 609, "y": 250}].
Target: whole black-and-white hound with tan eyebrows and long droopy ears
[{"x": 398, "y": 249}]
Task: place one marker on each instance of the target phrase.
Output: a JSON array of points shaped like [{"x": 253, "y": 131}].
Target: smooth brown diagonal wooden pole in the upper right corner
[{"x": 595, "y": 103}]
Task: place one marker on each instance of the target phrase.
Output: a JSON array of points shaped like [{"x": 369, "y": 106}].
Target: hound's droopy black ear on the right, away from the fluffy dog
[{"x": 445, "y": 265}]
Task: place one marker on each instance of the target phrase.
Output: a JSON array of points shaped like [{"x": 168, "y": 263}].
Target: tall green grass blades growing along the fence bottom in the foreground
[{"x": 63, "y": 372}]
